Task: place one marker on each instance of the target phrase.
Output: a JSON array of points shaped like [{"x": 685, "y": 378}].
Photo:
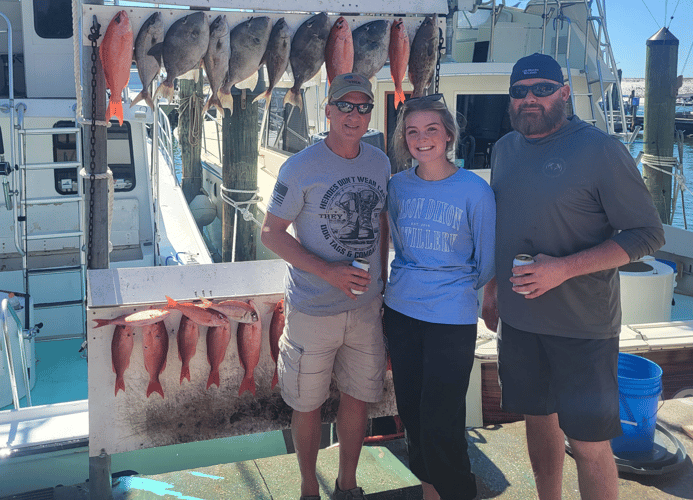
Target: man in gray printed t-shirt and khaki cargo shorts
[{"x": 333, "y": 194}]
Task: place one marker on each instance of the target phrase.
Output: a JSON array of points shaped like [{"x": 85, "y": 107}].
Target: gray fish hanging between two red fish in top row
[{"x": 371, "y": 42}]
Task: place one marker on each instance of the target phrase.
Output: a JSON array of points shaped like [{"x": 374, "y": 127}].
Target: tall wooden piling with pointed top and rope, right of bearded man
[{"x": 660, "y": 110}]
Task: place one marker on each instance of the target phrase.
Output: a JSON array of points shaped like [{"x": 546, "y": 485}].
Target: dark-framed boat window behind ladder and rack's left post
[{"x": 120, "y": 158}]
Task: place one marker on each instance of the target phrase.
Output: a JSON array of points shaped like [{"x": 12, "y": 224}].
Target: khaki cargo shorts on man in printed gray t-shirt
[{"x": 312, "y": 347}]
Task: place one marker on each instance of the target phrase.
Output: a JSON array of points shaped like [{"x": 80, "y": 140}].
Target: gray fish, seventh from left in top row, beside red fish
[{"x": 307, "y": 54}]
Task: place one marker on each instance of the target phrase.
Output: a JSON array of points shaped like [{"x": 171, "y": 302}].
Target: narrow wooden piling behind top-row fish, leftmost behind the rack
[{"x": 190, "y": 135}]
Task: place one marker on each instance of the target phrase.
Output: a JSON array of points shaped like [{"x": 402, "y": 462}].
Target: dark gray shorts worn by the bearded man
[{"x": 576, "y": 378}]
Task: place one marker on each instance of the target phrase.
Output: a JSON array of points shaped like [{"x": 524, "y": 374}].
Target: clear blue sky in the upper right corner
[{"x": 631, "y": 22}]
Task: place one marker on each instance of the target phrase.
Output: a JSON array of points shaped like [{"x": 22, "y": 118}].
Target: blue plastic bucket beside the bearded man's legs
[{"x": 639, "y": 387}]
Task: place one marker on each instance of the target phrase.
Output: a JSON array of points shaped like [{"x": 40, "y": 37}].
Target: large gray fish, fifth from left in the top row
[{"x": 248, "y": 43}]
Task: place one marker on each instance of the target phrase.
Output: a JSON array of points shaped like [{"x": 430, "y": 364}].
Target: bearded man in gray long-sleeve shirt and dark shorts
[{"x": 571, "y": 197}]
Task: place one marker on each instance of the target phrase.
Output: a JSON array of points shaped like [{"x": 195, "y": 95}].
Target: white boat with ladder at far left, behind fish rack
[{"x": 46, "y": 221}]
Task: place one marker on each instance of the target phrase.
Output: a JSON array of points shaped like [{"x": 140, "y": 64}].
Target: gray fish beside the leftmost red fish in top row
[{"x": 148, "y": 56}]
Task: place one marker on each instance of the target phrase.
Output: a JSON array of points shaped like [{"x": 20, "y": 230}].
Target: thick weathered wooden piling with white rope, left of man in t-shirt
[{"x": 239, "y": 172}]
